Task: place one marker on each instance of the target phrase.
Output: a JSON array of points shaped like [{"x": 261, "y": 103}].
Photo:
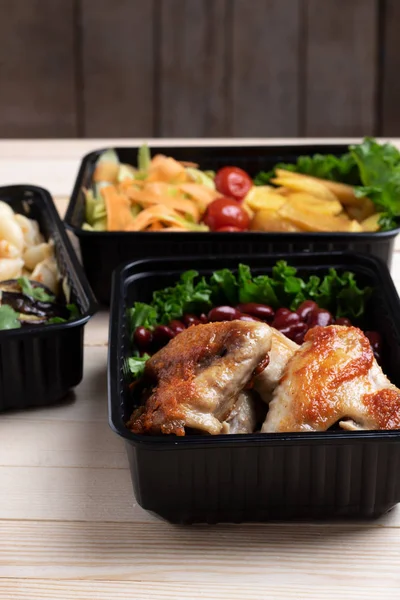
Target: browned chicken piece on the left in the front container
[{"x": 198, "y": 376}]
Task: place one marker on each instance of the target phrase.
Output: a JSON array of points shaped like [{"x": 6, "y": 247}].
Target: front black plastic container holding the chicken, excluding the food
[{"x": 258, "y": 477}]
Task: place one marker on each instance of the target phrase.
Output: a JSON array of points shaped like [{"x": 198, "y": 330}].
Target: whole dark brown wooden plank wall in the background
[{"x": 138, "y": 68}]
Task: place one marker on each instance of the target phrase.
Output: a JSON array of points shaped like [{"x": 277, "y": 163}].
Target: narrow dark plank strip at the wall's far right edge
[{"x": 390, "y": 57}]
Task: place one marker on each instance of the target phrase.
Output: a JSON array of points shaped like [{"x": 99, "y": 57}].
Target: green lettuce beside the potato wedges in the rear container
[{"x": 372, "y": 167}]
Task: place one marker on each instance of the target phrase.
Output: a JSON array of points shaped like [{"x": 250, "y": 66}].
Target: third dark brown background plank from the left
[{"x": 193, "y": 92}]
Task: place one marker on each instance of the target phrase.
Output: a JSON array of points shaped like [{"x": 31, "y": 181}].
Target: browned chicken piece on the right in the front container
[{"x": 333, "y": 377}]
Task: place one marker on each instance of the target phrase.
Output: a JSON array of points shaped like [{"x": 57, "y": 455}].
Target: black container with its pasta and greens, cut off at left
[{"x": 45, "y": 302}]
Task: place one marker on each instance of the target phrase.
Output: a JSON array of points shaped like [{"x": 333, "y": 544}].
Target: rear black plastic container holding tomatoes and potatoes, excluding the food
[{"x": 102, "y": 252}]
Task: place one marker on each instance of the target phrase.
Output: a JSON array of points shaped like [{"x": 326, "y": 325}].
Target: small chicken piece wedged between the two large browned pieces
[{"x": 282, "y": 349}]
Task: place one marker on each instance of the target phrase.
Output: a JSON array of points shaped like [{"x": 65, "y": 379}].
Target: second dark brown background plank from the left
[{"x": 117, "y": 67}]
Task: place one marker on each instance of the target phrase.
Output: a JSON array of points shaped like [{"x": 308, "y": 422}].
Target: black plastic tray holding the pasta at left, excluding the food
[{"x": 39, "y": 364}]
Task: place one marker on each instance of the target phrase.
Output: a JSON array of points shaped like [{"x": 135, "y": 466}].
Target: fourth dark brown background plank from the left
[{"x": 265, "y": 67}]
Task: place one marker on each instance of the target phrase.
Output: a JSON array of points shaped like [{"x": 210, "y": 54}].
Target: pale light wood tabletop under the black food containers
[{"x": 69, "y": 524}]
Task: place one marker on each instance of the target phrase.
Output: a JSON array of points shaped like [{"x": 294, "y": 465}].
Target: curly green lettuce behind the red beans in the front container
[{"x": 339, "y": 293}]
